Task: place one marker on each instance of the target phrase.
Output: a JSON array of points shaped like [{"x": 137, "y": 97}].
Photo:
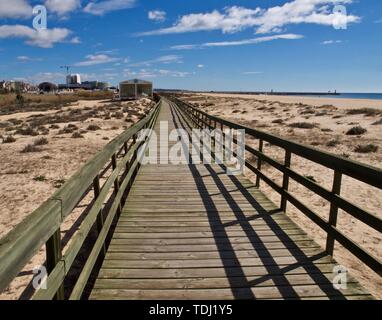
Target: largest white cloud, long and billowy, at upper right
[{"x": 274, "y": 19}]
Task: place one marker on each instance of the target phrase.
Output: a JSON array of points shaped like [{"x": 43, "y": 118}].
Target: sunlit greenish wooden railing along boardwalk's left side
[{"x": 43, "y": 226}]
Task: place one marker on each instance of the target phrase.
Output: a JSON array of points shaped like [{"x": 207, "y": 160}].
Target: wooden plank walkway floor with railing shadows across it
[{"x": 193, "y": 232}]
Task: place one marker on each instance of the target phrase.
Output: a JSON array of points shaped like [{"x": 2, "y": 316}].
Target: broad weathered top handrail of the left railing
[{"x": 26, "y": 238}]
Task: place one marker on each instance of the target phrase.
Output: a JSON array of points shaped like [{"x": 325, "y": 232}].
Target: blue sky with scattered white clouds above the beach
[{"x": 284, "y": 45}]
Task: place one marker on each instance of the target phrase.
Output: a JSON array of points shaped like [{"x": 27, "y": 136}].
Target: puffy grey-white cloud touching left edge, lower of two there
[{"x": 42, "y": 38}]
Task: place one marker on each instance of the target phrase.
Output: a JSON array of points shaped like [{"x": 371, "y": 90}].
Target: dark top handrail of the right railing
[{"x": 369, "y": 174}]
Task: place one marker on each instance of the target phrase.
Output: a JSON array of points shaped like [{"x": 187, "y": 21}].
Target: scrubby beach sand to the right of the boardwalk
[{"x": 326, "y": 124}]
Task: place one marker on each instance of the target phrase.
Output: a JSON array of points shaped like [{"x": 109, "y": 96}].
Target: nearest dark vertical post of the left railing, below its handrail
[{"x": 53, "y": 256}]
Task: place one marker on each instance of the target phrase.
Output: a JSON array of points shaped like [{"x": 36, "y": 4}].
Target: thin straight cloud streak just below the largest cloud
[{"x": 288, "y": 36}]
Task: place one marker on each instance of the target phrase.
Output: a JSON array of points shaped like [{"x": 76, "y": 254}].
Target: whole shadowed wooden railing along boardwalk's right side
[{"x": 340, "y": 166}]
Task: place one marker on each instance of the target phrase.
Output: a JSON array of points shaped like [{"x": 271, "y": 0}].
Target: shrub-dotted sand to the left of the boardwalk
[{"x": 46, "y": 149}]
